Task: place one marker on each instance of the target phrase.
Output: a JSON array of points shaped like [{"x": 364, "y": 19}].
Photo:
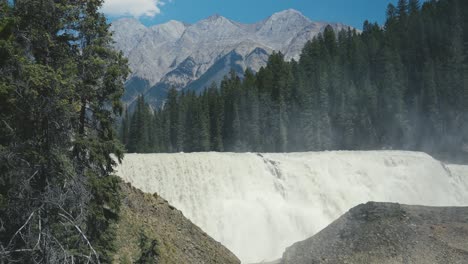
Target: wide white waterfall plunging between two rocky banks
[{"x": 258, "y": 204}]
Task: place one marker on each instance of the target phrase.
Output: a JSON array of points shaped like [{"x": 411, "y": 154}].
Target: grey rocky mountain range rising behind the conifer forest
[{"x": 184, "y": 56}]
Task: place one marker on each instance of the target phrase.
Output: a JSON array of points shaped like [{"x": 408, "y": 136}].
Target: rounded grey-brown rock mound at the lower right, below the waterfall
[{"x": 388, "y": 233}]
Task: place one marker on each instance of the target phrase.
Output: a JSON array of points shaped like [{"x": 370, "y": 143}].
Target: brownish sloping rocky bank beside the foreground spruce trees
[{"x": 177, "y": 239}]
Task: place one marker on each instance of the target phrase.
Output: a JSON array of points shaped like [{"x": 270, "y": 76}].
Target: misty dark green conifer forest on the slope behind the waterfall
[{"x": 401, "y": 85}]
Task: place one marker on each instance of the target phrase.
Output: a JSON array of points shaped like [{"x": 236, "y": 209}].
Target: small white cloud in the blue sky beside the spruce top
[{"x": 136, "y": 8}]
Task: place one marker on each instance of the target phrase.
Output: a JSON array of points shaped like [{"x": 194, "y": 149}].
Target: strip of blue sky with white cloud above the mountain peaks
[{"x": 150, "y": 12}]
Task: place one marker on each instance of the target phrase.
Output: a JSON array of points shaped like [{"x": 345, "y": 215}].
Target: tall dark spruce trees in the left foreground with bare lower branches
[{"x": 60, "y": 89}]
